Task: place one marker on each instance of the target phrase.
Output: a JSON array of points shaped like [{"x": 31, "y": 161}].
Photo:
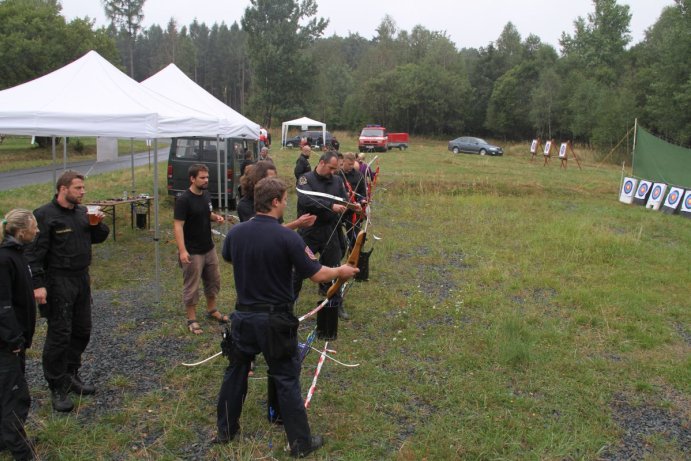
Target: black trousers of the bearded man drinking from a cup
[{"x": 69, "y": 327}]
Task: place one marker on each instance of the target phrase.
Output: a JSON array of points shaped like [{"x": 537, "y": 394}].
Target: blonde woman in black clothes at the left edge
[{"x": 17, "y": 324}]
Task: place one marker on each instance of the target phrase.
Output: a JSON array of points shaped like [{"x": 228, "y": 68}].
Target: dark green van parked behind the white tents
[{"x": 185, "y": 152}]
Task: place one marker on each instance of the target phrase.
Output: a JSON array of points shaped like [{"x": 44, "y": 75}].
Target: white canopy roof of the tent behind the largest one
[{"x": 172, "y": 83}]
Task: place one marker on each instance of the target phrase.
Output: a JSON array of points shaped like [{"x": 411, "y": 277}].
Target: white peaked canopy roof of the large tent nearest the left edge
[{"x": 91, "y": 97}]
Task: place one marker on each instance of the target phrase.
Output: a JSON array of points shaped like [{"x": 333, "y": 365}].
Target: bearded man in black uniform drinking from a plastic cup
[{"x": 59, "y": 259}]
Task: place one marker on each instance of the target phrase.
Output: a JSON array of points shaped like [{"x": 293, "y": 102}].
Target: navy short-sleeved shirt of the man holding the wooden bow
[{"x": 263, "y": 254}]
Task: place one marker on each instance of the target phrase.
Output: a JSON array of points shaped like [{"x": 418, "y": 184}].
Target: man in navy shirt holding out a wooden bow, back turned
[{"x": 263, "y": 254}]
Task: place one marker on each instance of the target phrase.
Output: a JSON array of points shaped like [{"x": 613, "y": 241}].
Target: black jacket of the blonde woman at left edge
[{"x": 17, "y": 306}]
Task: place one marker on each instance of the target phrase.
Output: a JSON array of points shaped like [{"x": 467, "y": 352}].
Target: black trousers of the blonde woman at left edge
[{"x": 14, "y": 405}]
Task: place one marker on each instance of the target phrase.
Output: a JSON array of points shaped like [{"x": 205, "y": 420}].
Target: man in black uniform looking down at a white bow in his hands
[{"x": 323, "y": 237}]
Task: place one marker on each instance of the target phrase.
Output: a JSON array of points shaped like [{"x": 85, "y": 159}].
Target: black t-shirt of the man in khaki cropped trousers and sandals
[{"x": 195, "y": 211}]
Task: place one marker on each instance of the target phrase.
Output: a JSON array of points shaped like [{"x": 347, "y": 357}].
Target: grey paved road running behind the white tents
[{"x": 19, "y": 178}]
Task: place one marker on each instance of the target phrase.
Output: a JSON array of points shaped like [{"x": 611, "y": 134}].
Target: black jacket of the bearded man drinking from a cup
[{"x": 64, "y": 242}]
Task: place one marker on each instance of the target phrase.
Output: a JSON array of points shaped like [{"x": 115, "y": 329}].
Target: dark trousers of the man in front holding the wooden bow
[{"x": 249, "y": 333}]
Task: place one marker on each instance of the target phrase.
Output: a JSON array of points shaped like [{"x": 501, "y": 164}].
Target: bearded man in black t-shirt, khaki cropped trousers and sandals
[{"x": 192, "y": 227}]
